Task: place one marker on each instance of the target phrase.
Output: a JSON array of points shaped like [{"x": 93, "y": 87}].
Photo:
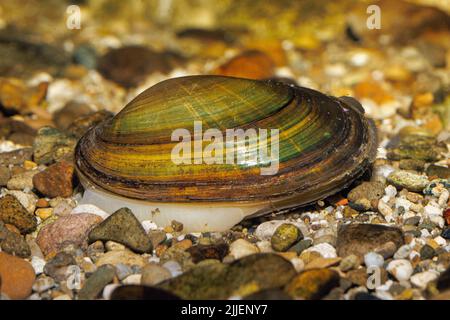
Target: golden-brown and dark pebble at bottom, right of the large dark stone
[{"x": 313, "y": 284}]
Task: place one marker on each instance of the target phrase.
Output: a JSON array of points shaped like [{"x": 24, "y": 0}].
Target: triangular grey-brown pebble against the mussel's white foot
[{"x": 122, "y": 227}]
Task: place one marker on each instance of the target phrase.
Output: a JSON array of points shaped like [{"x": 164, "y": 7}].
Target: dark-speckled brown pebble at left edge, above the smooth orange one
[{"x": 12, "y": 212}]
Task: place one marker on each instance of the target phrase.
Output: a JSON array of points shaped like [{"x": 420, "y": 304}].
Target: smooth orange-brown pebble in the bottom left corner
[{"x": 17, "y": 276}]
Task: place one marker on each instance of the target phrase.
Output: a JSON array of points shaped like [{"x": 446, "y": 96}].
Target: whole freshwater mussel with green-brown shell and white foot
[{"x": 324, "y": 144}]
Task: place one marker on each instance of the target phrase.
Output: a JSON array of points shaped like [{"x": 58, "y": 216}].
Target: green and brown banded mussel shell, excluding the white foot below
[{"x": 324, "y": 143}]
